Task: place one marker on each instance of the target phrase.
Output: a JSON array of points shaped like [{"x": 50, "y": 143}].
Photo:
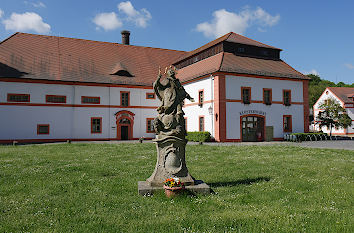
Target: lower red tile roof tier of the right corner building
[{"x": 228, "y": 62}]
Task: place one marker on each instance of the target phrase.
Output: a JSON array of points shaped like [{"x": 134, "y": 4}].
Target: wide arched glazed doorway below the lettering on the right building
[{"x": 252, "y": 128}]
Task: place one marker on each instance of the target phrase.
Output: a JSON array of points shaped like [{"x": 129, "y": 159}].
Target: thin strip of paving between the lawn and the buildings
[{"x": 340, "y": 144}]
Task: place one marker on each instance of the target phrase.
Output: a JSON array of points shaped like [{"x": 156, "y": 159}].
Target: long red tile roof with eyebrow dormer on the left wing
[{"x": 69, "y": 59}]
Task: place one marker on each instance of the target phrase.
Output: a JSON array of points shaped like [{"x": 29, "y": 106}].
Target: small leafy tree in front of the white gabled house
[{"x": 332, "y": 115}]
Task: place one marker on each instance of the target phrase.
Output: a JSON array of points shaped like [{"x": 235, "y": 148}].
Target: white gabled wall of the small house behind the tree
[{"x": 349, "y": 107}]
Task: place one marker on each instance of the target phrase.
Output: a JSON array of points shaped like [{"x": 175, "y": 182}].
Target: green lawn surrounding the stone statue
[{"x": 93, "y": 188}]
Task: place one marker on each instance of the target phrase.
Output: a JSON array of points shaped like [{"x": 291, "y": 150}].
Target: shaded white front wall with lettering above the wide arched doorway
[{"x": 273, "y": 113}]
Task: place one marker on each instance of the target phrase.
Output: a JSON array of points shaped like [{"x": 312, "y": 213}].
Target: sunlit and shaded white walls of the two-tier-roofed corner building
[{"x": 235, "y": 110}]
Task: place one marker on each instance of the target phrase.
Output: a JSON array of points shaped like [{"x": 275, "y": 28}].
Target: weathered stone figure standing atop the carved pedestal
[{"x": 170, "y": 120}]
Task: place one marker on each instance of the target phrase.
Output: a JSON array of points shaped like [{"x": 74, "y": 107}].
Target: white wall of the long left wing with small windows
[{"x": 71, "y": 120}]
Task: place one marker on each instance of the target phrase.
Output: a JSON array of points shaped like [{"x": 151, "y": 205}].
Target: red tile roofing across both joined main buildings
[{"x": 32, "y": 56}]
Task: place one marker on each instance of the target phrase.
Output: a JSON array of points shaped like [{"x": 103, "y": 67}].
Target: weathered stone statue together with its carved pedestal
[{"x": 170, "y": 129}]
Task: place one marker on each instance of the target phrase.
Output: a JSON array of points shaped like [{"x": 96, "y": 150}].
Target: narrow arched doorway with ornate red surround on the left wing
[{"x": 125, "y": 123}]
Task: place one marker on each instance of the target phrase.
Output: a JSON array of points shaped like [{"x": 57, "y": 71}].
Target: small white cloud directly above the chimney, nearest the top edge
[{"x": 140, "y": 18}]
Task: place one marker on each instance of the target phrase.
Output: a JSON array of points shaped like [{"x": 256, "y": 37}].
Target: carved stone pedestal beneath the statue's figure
[{"x": 170, "y": 161}]
